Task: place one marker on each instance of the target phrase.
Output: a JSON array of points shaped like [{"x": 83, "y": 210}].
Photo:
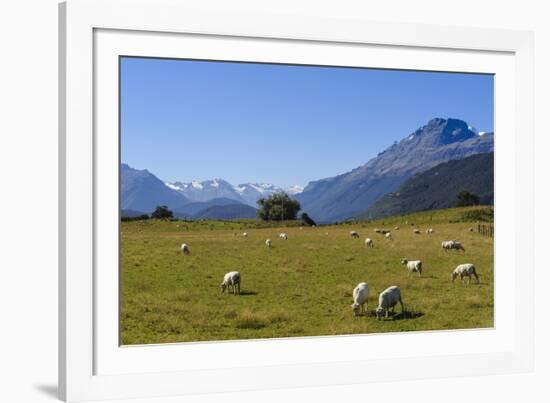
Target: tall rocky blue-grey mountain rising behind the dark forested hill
[{"x": 350, "y": 194}]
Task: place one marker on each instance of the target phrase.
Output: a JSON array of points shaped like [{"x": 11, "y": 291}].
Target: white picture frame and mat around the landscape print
[{"x": 93, "y": 33}]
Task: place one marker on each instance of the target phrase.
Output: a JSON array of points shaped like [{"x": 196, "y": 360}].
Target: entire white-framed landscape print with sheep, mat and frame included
[{"x": 259, "y": 201}]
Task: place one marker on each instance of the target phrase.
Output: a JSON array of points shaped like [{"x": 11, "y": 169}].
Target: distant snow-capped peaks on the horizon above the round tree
[{"x": 247, "y": 193}]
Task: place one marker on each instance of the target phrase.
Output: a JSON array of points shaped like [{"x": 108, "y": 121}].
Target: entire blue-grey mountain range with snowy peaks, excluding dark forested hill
[{"x": 341, "y": 197}]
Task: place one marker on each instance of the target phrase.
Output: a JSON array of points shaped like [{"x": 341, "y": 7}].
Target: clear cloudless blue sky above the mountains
[{"x": 243, "y": 122}]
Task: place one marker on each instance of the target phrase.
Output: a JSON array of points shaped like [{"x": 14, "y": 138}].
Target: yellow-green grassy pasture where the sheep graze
[{"x": 299, "y": 287}]
